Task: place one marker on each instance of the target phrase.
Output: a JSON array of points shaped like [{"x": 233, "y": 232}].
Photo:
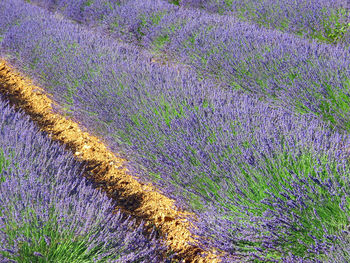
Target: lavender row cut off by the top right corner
[{"x": 326, "y": 21}]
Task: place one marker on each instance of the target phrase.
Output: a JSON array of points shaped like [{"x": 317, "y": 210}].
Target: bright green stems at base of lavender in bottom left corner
[{"x": 63, "y": 246}]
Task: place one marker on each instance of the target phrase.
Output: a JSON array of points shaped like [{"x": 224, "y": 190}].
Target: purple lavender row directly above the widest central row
[{"x": 314, "y": 77}]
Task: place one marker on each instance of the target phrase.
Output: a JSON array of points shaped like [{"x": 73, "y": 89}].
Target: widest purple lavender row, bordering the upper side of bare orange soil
[{"x": 220, "y": 153}]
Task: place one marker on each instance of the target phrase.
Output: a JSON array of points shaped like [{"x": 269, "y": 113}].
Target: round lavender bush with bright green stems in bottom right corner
[{"x": 298, "y": 204}]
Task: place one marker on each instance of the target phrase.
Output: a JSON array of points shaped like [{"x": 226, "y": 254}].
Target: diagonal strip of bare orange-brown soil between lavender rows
[{"x": 141, "y": 201}]
